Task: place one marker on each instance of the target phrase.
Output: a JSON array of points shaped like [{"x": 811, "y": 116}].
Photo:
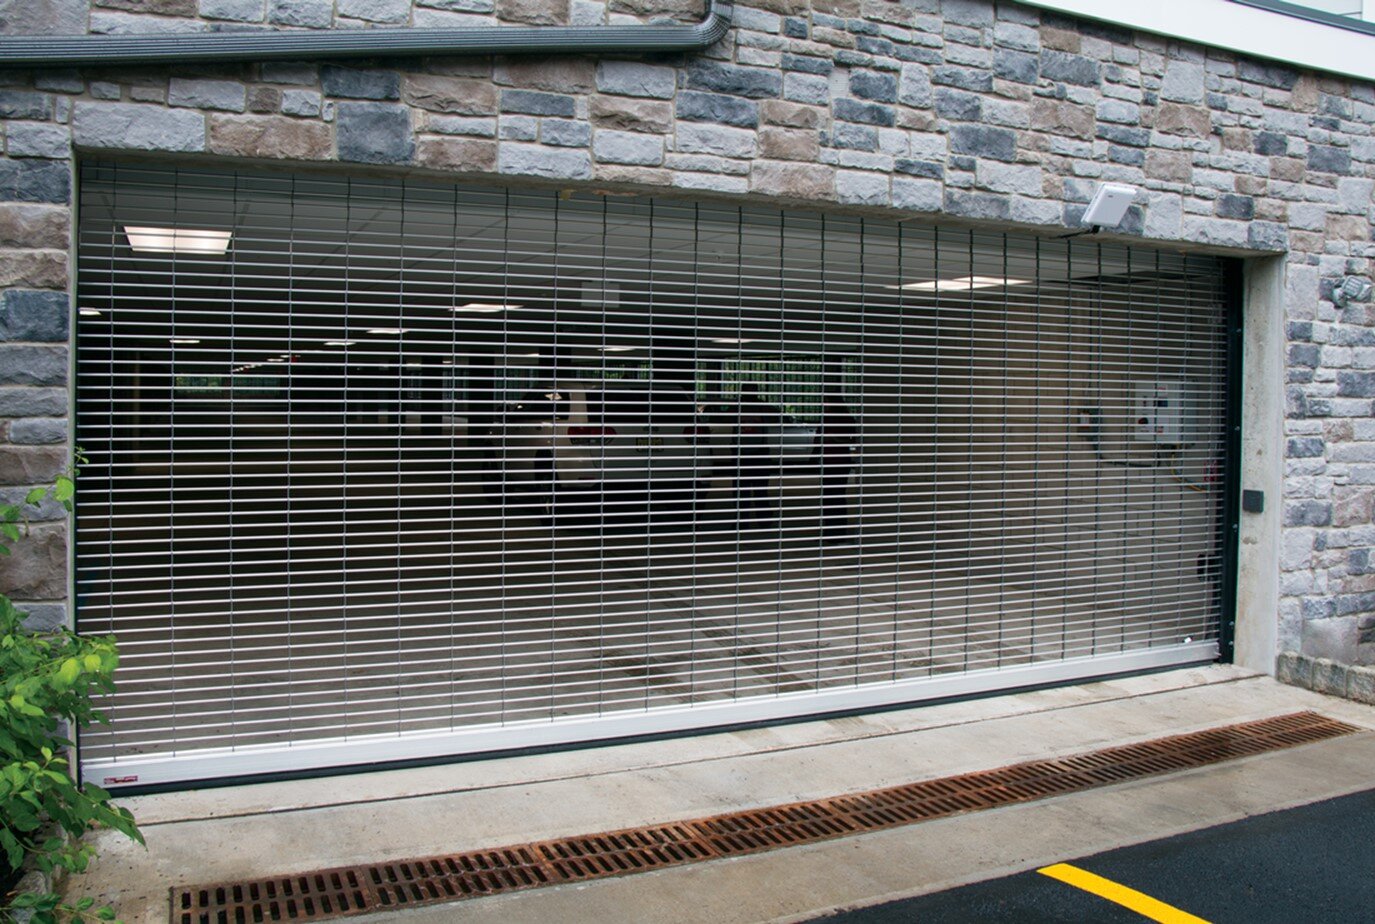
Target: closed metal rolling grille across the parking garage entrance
[{"x": 386, "y": 470}]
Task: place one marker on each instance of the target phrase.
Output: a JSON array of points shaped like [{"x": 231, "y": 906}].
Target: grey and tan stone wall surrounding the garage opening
[{"x": 978, "y": 111}]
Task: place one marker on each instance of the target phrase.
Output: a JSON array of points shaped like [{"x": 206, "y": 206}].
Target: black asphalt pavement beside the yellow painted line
[{"x": 1310, "y": 864}]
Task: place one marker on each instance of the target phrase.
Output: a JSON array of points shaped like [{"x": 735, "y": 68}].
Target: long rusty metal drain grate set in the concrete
[{"x": 355, "y": 890}]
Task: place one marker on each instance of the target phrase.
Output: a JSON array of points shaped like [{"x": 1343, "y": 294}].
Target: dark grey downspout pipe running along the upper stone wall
[{"x": 162, "y": 49}]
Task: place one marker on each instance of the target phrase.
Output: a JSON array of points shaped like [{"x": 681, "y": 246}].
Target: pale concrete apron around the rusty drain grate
[{"x": 256, "y": 831}]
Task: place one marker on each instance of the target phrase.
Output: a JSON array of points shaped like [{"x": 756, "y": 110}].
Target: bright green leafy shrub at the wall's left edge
[{"x": 47, "y": 685}]
